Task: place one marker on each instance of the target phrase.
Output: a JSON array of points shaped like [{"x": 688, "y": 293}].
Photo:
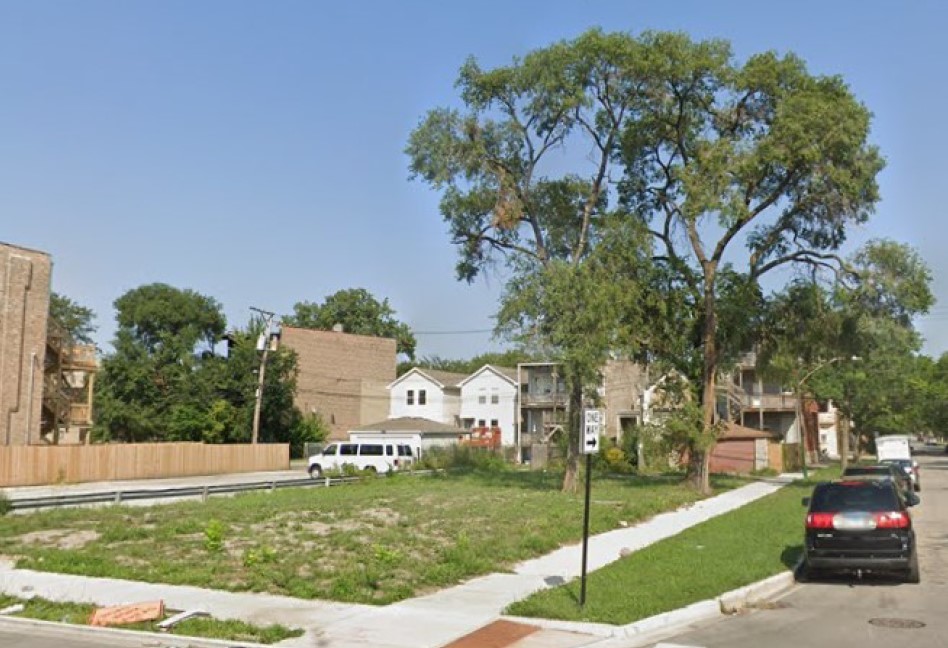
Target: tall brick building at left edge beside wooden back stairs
[{"x": 24, "y": 310}]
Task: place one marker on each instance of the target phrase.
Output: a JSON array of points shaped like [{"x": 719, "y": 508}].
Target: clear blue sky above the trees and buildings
[{"x": 253, "y": 151}]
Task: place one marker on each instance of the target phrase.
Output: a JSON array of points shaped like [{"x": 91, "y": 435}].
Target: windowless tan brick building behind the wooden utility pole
[{"x": 342, "y": 377}]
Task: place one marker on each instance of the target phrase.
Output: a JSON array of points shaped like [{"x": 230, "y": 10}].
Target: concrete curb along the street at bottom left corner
[{"x": 143, "y": 638}]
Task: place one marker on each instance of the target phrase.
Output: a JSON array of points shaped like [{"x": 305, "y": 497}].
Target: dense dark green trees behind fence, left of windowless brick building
[{"x": 163, "y": 382}]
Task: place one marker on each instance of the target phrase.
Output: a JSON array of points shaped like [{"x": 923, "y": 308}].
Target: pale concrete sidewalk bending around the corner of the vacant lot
[{"x": 428, "y": 621}]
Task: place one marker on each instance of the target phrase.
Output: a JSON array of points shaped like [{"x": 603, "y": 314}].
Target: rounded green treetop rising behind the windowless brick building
[{"x": 357, "y": 311}]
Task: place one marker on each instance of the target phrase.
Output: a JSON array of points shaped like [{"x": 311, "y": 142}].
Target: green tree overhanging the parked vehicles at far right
[{"x": 854, "y": 338}]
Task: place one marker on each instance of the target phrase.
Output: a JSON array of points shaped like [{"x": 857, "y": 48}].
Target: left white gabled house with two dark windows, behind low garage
[{"x": 428, "y": 394}]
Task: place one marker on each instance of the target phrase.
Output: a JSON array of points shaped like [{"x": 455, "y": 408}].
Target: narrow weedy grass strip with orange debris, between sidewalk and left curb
[{"x": 80, "y": 613}]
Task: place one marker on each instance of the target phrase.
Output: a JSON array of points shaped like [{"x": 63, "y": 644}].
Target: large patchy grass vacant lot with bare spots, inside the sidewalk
[{"x": 377, "y": 541}]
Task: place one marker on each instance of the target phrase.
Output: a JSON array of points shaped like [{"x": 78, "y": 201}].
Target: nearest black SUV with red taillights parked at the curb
[{"x": 861, "y": 525}]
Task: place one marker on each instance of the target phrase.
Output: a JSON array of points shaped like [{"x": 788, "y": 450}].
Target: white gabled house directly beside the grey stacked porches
[{"x": 489, "y": 401}]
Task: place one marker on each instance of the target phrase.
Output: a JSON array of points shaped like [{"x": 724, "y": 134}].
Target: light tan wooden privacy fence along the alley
[{"x": 45, "y": 465}]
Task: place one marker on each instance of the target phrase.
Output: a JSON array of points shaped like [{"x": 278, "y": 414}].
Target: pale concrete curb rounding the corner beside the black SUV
[{"x": 724, "y": 605}]
